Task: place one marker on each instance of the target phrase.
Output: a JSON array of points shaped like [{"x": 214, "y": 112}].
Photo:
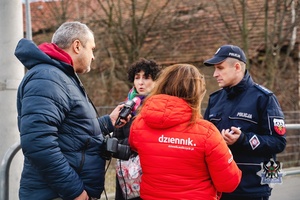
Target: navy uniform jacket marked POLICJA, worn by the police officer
[{"x": 257, "y": 112}]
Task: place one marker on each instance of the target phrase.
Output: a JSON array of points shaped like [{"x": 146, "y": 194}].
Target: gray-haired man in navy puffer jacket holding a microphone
[{"x": 61, "y": 134}]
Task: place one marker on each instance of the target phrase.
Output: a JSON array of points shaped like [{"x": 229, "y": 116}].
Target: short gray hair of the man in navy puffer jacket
[{"x": 68, "y": 32}]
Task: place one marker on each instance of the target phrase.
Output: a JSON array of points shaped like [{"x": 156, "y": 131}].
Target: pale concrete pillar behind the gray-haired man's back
[{"x": 11, "y": 73}]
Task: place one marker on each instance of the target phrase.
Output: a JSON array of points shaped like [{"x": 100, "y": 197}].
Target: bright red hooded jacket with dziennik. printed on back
[{"x": 180, "y": 161}]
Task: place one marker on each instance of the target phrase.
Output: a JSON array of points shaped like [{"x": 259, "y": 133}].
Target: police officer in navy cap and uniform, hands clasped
[{"x": 250, "y": 120}]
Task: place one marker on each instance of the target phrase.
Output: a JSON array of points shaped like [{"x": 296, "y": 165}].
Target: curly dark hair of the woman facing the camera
[{"x": 150, "y": 67}]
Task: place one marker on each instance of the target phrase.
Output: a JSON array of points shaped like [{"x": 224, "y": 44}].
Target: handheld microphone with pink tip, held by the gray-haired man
[{"x": 130, "y": 106}]
